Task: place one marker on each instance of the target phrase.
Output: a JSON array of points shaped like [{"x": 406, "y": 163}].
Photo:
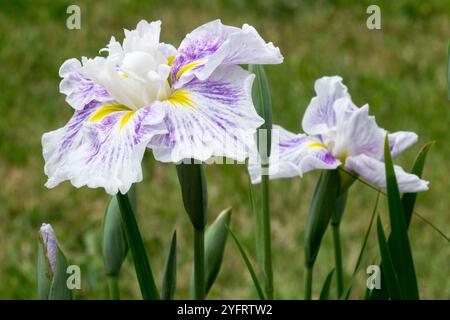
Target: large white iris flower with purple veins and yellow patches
[{"x": 143, "y": 93}]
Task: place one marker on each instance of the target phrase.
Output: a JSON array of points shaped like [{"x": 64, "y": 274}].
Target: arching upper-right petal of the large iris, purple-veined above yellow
[{"x": 214, "y": 44}]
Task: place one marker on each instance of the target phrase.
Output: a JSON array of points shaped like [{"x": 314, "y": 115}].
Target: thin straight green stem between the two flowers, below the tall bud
[{"x": 267, "y": 257}]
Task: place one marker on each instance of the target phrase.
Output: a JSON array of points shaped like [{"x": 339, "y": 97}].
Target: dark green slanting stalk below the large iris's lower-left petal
[{"x": 143, "y": 271}]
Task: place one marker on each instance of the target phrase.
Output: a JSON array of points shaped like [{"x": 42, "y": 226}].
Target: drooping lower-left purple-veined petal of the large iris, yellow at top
[{"x": 101, "y": 146}]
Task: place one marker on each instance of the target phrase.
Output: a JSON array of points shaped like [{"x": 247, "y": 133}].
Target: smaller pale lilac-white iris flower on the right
[{"x": 339, "y": 134}]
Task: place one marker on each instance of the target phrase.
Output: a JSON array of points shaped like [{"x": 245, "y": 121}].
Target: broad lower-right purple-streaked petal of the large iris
[{"x": 212, "y": 118}]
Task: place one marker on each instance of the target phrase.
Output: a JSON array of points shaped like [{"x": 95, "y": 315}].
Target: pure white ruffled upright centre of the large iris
[{"x": 136, "y": 72}]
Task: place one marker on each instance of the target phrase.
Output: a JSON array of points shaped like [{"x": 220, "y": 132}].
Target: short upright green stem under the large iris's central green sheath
[{"x": 199, "y": 263}]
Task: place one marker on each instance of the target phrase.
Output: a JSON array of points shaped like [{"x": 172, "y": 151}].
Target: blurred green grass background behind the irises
[{"x": 399, "y": 70}]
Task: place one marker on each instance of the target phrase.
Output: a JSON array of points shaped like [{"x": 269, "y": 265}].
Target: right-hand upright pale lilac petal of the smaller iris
[{"x": 357, "y": 133}]
